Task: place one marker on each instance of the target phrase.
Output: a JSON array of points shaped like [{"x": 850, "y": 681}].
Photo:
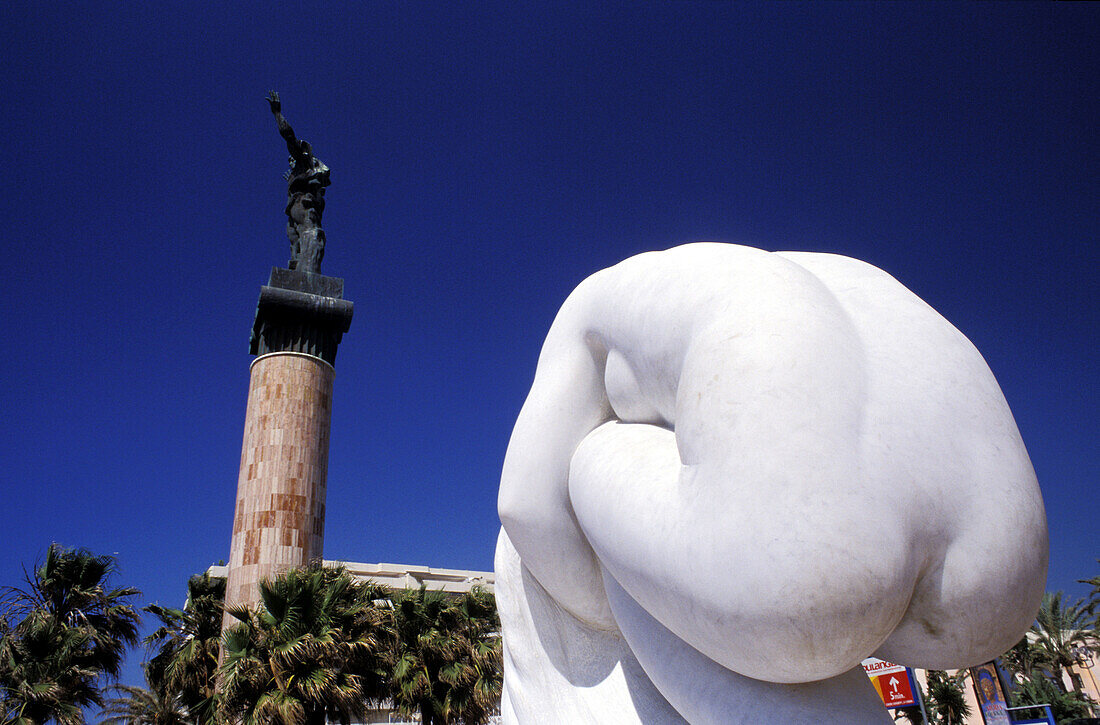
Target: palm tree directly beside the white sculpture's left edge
[{"x": 447, "y": 666}]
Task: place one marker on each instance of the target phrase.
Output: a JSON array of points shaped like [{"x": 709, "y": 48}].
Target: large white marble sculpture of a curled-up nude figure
[{"x": 738, "y": 475}]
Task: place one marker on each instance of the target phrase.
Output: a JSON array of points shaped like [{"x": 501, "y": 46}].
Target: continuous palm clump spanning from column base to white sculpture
[{"x": 323, "y": 645}]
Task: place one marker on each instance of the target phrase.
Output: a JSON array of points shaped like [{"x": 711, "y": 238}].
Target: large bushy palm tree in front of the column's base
[{"x": 312, "y": 652}]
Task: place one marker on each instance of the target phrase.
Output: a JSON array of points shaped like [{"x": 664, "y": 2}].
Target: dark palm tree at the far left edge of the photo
[{"x": 65, "y": 634}]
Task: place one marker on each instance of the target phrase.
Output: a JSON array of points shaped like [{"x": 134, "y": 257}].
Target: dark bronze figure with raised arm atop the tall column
[{"x": 306, "y": 182}]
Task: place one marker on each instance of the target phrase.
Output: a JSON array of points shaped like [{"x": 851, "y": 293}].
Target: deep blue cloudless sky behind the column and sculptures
[{"x": 486, "y": 159}]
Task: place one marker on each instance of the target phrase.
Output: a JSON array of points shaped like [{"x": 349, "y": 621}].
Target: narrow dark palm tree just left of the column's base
[{"x": 188, "y": 647}]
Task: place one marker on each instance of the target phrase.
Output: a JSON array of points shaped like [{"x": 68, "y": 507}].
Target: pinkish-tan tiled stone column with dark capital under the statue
[{"x": 279, "y": 521}]
